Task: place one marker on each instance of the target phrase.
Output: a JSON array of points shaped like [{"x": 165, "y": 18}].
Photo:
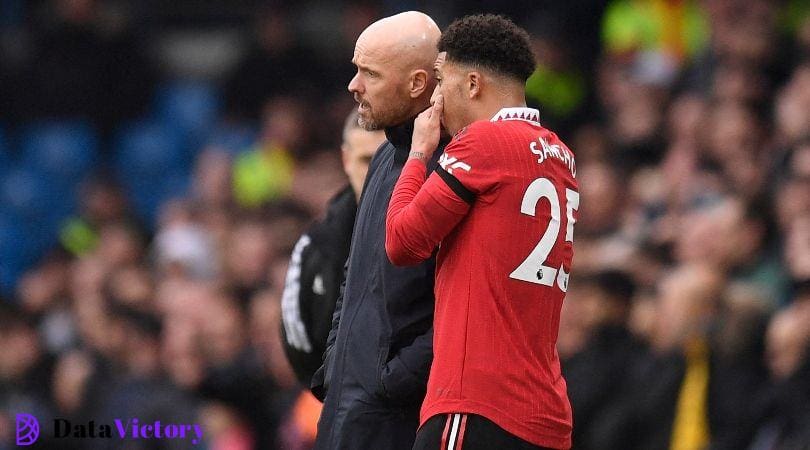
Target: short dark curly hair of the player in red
[{"x": 491, "y": 42}]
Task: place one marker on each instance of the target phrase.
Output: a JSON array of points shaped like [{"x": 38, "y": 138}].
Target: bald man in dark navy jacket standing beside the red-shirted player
[{"x": 380, "y": 347}]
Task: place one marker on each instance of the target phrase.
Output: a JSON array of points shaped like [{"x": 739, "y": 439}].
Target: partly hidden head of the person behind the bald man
[{"x": 358, "y": 148}]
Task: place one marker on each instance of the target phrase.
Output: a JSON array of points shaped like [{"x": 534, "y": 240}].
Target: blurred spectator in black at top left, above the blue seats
[{"x": 85, "y": 66}]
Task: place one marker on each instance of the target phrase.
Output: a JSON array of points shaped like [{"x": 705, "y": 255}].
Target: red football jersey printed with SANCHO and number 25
[{"x": 503, "y": 207}]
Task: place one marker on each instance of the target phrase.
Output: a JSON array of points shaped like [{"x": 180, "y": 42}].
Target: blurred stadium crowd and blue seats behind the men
[{"x": 158, "y": 160}]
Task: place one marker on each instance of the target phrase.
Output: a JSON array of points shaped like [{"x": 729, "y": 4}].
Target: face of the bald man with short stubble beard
[{"x": 379, "y": 86}]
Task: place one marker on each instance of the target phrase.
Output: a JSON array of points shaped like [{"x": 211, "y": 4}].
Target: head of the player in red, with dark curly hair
[{"x": 483, "y": 64}]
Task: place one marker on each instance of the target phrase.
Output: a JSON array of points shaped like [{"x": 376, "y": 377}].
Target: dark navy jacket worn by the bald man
[{"x": 380, "y": 348}]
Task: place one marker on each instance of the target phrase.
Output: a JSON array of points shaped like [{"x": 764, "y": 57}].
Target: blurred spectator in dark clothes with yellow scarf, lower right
[{"x": 687, "y": 395}]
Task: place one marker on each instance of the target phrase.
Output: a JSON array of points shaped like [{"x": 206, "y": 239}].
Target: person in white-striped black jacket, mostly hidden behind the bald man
[{"x": 315, "y": 273}]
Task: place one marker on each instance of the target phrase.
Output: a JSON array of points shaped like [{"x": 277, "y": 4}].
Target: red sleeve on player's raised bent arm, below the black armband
[{"x": 420, "y": 215}]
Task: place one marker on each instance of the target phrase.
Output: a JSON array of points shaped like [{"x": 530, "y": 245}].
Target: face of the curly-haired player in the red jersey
[{"x": 451, "y": 83}]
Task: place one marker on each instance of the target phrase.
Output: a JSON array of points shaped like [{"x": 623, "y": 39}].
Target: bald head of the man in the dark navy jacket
[{"x": 394, "y": 58}]
